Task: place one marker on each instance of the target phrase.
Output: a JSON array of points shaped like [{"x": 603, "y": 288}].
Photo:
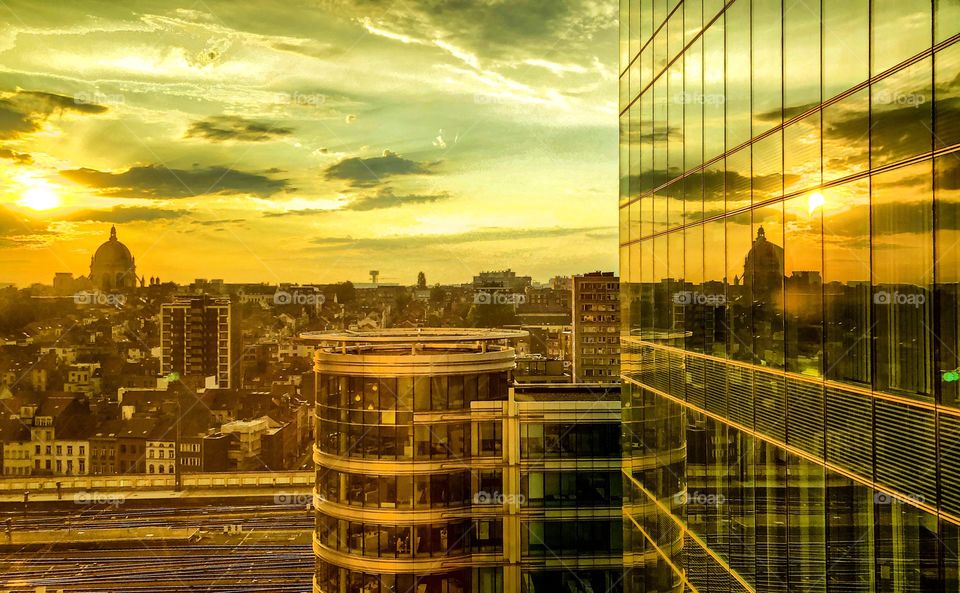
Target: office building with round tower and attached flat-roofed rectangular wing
[{"x": 434, "y": 476}]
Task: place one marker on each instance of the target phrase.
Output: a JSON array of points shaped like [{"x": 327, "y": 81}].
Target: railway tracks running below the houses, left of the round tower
[{"x": 213, "y": 568}]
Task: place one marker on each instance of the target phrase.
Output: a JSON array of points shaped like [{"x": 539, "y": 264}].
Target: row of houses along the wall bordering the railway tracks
[{"x": 157, "y": 431}]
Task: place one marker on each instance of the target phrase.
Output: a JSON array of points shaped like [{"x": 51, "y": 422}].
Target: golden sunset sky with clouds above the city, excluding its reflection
[{"x": 309, "y": 140}]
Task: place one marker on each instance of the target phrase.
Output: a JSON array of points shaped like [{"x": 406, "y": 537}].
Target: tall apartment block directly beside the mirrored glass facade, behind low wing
[{"x": 596, "y": 327}]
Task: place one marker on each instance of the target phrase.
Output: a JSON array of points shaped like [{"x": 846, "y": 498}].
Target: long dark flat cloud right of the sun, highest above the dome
[{"x": 157, "y": 182}]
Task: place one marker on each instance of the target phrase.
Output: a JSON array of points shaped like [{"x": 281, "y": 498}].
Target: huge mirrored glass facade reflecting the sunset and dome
[{"x": 790, "y": 259}]
